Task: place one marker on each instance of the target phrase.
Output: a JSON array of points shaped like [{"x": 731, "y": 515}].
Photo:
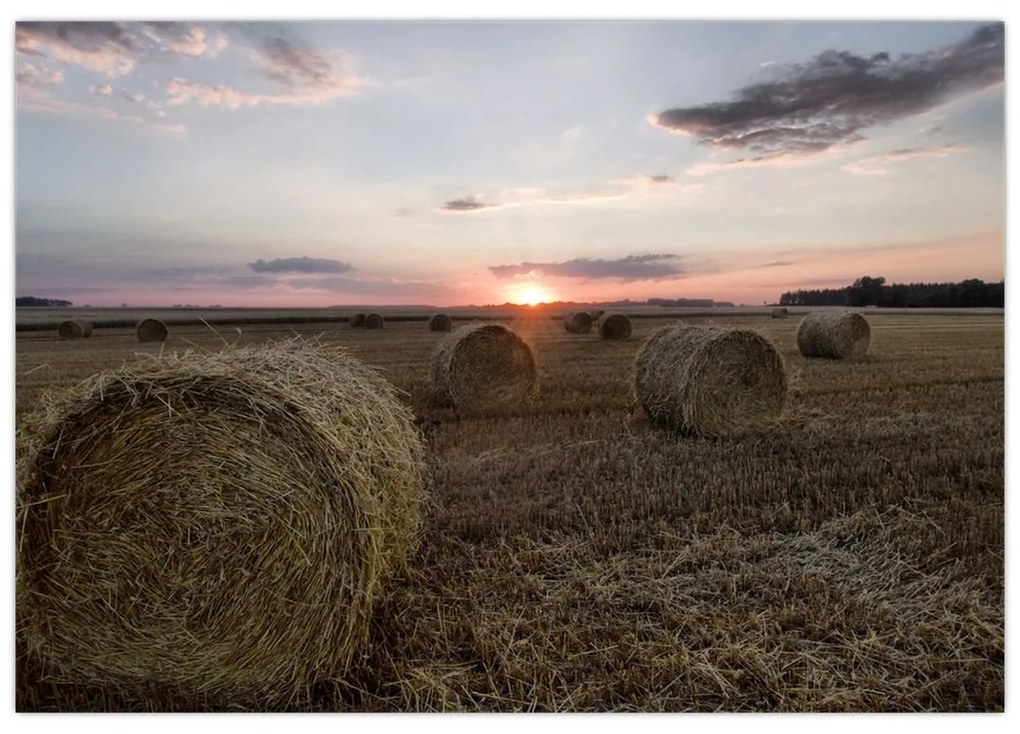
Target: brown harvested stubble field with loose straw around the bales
[{"x": 575, "y": 558}]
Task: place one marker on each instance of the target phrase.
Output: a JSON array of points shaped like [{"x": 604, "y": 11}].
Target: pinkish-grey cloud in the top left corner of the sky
[{"x": 111, "y": 48}]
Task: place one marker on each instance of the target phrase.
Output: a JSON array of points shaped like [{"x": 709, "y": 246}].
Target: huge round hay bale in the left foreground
[{"x": 214, "y": 526}]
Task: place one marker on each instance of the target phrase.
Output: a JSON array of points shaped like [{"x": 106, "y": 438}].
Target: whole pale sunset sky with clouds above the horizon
[{"x": 275, "y": 164}]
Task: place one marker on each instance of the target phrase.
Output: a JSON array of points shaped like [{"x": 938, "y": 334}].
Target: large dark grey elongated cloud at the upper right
[{"x": 811, "y": 108}]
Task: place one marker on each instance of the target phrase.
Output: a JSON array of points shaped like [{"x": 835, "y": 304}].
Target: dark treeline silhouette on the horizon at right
[{"x": 874, "y": 292}]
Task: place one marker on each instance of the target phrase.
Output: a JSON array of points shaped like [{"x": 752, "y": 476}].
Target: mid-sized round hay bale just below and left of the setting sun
[{"x": 484, "y": 365}]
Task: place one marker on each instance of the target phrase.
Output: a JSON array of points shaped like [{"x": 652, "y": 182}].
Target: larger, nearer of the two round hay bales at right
[{"x": 707, "y": 381}]
